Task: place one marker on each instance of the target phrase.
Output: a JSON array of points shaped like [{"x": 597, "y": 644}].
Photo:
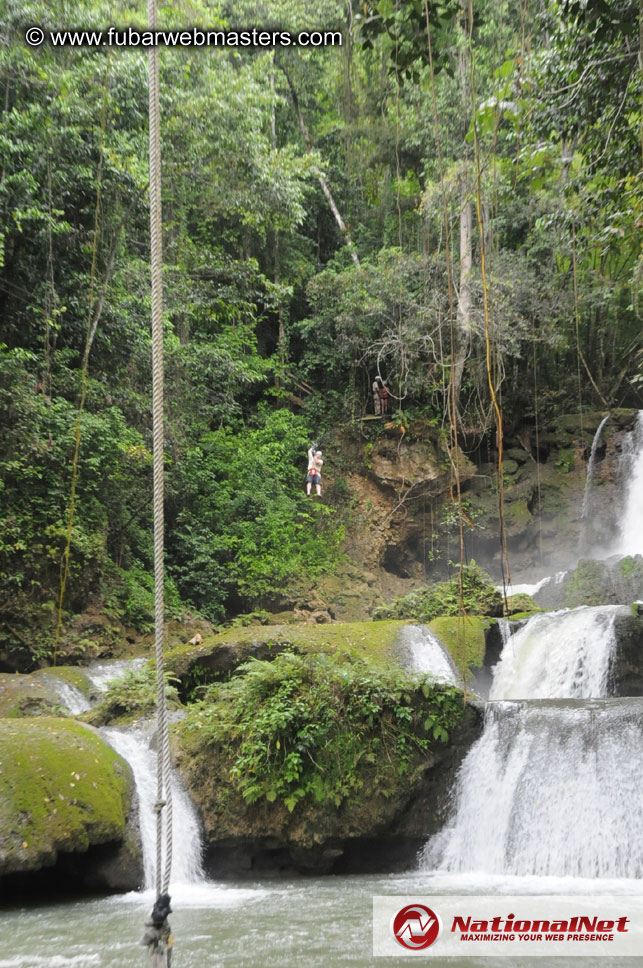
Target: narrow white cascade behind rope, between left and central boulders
[{"x": 133, "y": 745}]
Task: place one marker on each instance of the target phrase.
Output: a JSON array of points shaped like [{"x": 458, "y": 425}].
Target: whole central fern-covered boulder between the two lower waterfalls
[{"x": 306, "y": 762}]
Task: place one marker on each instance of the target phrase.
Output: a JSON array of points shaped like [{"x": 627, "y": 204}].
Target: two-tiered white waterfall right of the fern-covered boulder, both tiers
[{"x": 552, "y": 787}]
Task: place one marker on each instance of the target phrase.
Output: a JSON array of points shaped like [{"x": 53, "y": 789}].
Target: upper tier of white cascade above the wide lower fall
[{"x": 558, "y": 655}]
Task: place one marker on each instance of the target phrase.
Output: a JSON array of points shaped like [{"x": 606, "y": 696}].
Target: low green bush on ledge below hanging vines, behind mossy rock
[{"x": 478, "y": 596}]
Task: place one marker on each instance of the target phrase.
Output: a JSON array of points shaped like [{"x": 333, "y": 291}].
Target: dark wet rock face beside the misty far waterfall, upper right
[{"x": 543, "y": 501}]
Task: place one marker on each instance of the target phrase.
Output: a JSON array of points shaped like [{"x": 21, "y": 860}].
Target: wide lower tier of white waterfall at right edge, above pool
[{"x": 551, "y": 788}]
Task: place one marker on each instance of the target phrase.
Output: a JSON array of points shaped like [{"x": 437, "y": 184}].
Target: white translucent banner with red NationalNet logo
[{"x": 444, "y": 926}]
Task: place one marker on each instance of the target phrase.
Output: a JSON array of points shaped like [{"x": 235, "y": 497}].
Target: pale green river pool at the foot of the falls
[{"x": 312, "y": 922}]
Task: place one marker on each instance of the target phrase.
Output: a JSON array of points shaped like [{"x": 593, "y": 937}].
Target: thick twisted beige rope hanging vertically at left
[{"x": 164, "y": 794}]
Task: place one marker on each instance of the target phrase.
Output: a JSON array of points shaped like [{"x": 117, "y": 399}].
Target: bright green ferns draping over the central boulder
[{"x": 312, "y": 727}]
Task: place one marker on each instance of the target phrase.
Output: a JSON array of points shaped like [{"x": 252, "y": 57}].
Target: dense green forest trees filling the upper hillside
[{"x": 273, "y": 332}]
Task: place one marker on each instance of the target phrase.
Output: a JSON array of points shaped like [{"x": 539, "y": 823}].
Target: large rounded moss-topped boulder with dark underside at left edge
[{"x": 65, "y": 805}]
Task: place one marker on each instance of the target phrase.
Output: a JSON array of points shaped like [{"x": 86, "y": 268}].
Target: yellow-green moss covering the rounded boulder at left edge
[{"x": 61, "y": 788}]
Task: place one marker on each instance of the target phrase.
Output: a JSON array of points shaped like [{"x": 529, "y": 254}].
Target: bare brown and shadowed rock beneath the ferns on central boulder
[{"x": 376, "y": 833}]
